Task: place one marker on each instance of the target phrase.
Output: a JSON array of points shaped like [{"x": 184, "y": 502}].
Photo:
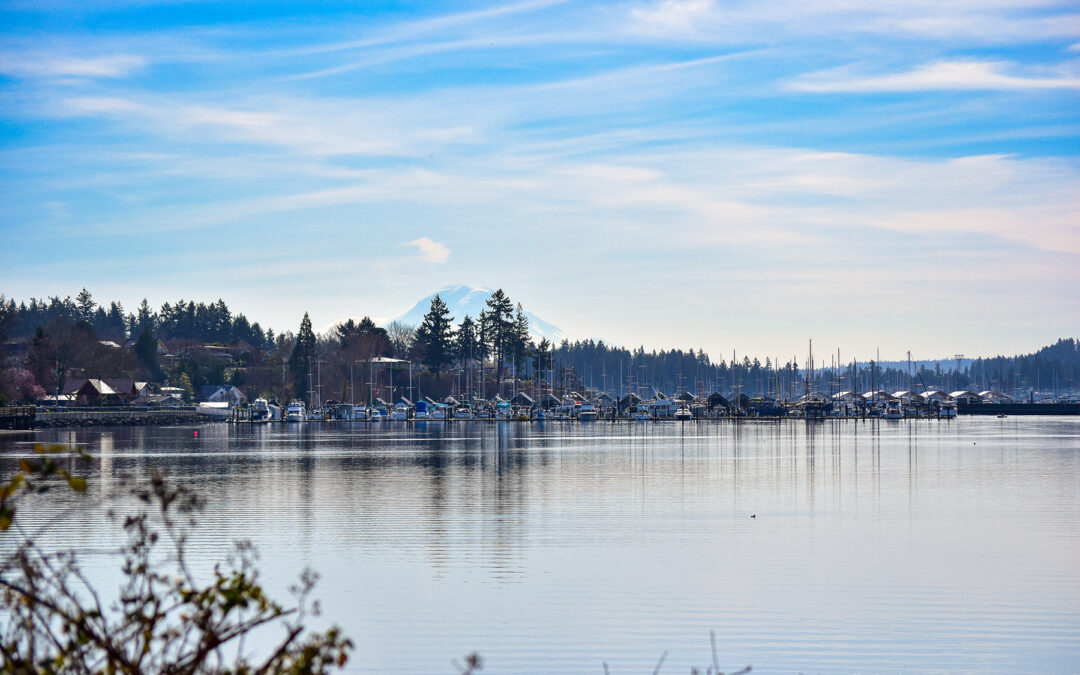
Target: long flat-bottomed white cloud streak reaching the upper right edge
[{"x": 969, "y": 75}]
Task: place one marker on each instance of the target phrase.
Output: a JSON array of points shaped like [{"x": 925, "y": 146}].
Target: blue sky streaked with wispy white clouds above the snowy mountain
[{"x": 897, "y": 175}]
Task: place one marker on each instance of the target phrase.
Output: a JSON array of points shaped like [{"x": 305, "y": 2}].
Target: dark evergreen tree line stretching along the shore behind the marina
[{"x": 461, "y": 356}]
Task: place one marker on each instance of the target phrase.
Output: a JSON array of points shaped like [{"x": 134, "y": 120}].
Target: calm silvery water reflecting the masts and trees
[{"x": 877, "y": 547}]
